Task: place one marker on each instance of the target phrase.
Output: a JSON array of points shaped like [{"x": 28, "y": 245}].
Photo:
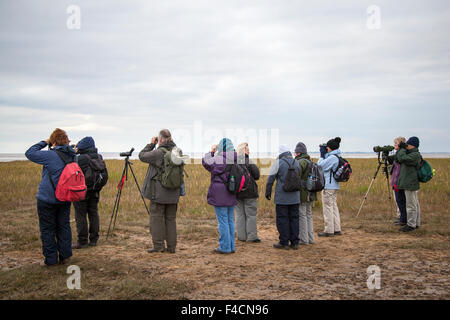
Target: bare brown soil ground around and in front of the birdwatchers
[{"x": 332, "y": 268}]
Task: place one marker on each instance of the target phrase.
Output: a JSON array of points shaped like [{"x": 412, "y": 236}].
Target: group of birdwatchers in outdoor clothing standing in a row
[{"x": 226, "y": 195}]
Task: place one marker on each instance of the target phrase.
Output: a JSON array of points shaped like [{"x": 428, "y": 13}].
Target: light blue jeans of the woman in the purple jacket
[{"x": 225, "y": 221}]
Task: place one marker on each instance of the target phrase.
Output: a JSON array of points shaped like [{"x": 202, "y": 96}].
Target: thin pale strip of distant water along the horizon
[{"x": 8, "y": 157}]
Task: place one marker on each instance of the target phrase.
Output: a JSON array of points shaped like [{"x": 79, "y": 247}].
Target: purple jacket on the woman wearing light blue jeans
[{"x": 216, "y": 164}]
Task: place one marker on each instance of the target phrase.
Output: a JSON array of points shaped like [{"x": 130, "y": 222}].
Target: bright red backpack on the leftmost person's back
[{"x": 71, "y": 185}]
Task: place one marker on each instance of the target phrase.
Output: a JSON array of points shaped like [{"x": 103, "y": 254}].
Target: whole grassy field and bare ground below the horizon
[{"x": 414, "y": 265}]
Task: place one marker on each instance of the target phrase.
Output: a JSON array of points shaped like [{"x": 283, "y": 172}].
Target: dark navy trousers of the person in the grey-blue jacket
[{"x": 288, "y": 223}]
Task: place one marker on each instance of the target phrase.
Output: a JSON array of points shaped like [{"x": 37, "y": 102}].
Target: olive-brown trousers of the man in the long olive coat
[{"x": 163, "y": 225}]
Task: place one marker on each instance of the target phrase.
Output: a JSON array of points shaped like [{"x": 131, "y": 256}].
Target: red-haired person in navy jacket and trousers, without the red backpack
[{"x": 54, "y": 215}]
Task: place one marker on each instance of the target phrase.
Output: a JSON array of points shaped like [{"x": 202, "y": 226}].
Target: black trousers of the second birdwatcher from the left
[{"x": 84, "y": 210}]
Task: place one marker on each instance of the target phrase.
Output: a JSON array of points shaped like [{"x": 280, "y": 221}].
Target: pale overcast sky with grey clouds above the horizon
[{"x": 312, "y": 70}]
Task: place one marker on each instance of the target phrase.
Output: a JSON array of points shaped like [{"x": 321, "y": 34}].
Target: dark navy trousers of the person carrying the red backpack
[{"x": 56, "y": 235}]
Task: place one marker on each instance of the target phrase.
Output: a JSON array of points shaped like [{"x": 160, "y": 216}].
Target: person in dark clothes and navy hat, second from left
[{"x": 96, "y": 175}]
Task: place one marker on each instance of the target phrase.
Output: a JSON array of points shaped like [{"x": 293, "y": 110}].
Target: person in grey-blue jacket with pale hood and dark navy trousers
[{"x": 287, "y": 203}]
